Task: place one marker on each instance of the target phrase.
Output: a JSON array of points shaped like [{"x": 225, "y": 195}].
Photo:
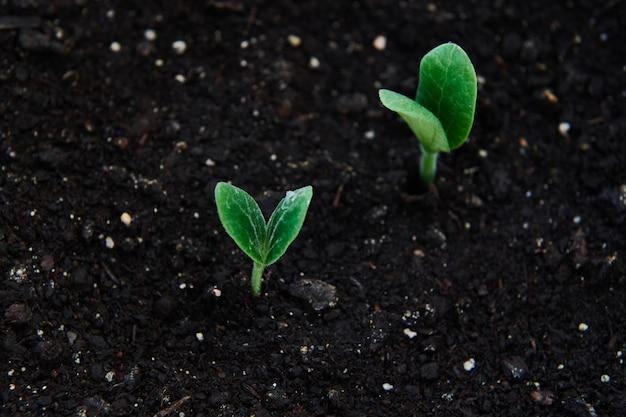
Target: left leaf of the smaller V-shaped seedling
[{"x": 242, "y": 219}]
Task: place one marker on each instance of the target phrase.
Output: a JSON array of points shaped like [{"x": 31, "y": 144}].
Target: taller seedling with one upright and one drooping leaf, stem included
[{"x": 442, "y": 113}]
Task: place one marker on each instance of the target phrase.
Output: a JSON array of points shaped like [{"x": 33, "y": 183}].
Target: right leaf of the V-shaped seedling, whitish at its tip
[{"x": 286, "y": 222}]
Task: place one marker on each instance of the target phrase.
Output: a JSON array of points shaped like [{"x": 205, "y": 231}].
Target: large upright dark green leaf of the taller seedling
[{"x": 447, "y": 87}]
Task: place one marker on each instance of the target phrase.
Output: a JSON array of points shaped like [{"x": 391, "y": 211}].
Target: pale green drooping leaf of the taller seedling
[{"x": 425, "y": 125}]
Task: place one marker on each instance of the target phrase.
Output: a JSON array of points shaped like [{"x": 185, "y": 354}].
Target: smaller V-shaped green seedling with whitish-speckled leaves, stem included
[{"x": 264, "y": 242}]
